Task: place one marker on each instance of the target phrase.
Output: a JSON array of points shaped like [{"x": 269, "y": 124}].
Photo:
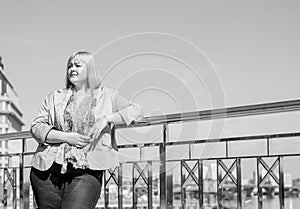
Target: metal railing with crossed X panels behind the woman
[{"x": 225, "y": 172}]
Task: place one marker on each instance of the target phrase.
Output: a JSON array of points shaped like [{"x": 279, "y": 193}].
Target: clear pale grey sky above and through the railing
[{"x": 169, "y": 56}]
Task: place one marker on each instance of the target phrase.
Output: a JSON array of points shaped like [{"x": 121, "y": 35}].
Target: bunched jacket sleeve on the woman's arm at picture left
[{"x": 42, "y": 124}]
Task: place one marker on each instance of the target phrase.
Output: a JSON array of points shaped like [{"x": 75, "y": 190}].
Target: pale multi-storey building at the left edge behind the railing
[{"x": 10, "y": 112}]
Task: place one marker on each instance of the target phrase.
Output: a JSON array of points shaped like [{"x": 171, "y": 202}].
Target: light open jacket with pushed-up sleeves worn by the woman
[{"x": 108, "y": 101}]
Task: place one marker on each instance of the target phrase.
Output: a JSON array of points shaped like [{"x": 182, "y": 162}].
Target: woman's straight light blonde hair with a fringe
[{"x": 93, "y": 74}]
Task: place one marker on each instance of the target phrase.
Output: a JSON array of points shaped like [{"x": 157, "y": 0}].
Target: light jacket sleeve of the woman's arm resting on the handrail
[{"x": 128, "y": 110}]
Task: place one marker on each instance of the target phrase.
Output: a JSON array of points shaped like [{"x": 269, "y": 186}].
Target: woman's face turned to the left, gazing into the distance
[{"x": 77, "y": 72}]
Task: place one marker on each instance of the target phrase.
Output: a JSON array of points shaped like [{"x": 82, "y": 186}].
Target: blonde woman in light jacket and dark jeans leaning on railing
[{"x": 73, "y": 131}]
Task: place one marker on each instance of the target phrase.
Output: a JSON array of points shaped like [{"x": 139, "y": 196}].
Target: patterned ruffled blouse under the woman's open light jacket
[{"x": 75, "y": 118}]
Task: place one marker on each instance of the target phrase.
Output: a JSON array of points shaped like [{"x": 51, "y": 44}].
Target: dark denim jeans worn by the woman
[{"x": 77, "y": 189}]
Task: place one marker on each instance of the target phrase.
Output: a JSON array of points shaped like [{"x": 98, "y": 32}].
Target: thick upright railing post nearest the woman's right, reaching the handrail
[{"x": 162, "y": 168}]
